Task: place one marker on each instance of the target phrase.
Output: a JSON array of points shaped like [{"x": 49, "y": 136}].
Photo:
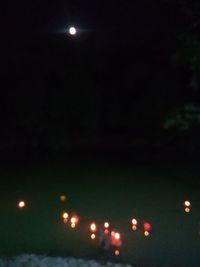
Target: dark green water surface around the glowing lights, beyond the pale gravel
[{"x": 102, "y": 192}]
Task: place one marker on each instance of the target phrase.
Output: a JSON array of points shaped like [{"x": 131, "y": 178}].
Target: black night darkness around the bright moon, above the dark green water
[{"x": 127, "y": 70}]
